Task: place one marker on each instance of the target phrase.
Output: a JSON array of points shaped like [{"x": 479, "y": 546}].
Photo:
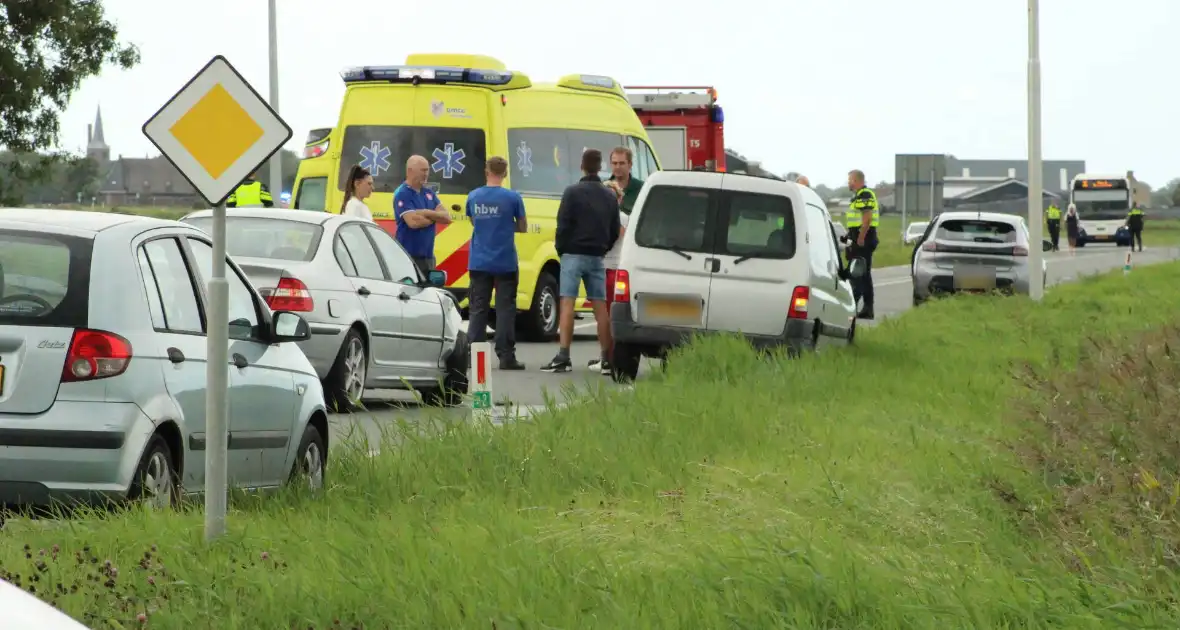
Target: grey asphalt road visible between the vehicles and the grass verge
[{"x": 528, "y": 390}]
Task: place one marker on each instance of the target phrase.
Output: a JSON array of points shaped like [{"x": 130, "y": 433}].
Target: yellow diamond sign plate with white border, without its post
[{"x": 218, "y": 130}]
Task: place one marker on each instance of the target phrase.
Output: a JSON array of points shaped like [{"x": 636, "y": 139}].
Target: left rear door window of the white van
[{"x": 674, "y": 219}]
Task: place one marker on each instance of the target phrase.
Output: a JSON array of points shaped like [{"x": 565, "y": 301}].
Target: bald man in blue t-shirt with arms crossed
[{"x": 418, "y": 209}]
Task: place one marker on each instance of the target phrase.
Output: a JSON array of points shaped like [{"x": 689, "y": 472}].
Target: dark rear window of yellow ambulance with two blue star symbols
[{"x": 457, "y": 156}]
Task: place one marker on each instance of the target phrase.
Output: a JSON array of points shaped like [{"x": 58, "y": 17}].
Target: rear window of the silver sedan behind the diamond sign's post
[{"x": 277, "y": 239}]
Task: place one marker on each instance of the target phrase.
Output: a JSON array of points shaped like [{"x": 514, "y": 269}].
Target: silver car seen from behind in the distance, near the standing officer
[{"x": 974, "y": 252}]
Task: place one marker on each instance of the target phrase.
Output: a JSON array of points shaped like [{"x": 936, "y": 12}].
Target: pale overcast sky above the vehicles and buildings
[{"x": 816, "y": 87}]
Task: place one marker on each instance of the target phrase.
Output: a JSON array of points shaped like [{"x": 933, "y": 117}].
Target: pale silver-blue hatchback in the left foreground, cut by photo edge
[{"x": 103, "y": 365}]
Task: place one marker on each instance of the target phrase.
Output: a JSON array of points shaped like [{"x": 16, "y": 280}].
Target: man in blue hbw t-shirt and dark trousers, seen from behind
[{"x": 497, "y": 216}]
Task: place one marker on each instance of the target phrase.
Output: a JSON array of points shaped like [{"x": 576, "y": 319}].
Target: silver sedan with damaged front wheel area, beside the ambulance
[{"x": 376, "y": 321}]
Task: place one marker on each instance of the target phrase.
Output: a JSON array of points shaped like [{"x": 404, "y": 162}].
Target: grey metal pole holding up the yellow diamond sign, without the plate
[{"x": 218, "y": 375}]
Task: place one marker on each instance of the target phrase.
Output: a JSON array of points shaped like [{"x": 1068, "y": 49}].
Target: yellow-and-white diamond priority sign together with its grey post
[{"x": 218, "y": 132}]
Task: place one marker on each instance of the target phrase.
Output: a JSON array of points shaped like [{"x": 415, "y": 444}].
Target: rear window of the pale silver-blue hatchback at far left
[{"x": 44, "y": 279}]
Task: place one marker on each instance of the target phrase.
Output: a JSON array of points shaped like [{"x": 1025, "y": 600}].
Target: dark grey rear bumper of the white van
[{"x": 657, "y": 340}]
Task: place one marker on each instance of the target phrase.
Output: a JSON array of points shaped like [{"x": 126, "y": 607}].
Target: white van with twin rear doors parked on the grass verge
[{"x": 722, "y": 253}]
